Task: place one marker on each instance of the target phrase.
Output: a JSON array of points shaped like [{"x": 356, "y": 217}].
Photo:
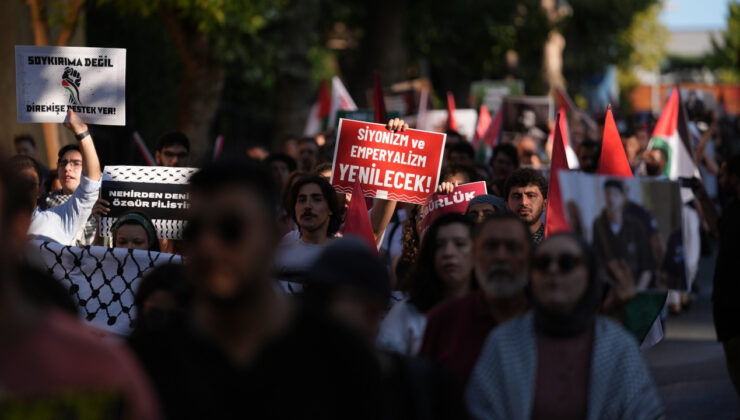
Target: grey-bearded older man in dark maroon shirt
[{"x": 456, "y": 330}]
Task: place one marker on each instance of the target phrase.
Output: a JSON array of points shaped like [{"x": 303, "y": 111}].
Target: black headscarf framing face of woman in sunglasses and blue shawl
[{"x": 583, "y": 314}]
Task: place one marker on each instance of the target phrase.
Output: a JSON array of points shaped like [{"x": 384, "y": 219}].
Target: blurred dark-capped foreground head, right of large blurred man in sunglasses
[{"x": 349, "y": 281}]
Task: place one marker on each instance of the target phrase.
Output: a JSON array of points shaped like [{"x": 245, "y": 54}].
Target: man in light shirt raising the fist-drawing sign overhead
[{"x": 80, "y": 176}]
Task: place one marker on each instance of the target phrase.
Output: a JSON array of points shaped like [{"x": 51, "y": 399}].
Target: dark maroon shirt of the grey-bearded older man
[{"x": 455, "y": 333}]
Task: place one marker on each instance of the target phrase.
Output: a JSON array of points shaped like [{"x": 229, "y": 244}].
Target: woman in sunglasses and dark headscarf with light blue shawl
[{"x": 562, "y": 360}]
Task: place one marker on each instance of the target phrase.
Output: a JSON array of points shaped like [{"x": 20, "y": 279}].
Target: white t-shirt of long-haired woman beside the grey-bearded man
[{"x": 402, "y": 330}]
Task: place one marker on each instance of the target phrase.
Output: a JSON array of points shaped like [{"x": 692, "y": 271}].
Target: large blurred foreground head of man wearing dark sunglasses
[{"x": 231, "y": 235}]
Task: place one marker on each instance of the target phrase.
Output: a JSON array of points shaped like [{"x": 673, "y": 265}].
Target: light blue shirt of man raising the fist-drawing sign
[{"x": 61, "y": 224}]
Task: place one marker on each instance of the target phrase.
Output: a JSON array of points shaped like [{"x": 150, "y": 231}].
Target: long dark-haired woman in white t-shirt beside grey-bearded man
[{"x": 443, "y": 270}]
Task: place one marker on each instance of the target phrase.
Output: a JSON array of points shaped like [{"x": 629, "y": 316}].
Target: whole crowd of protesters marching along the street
[{"x": 274, "y": 314}]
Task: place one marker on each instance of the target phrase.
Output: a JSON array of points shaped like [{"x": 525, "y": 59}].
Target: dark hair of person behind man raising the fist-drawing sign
[{"x": 19, "y": 189}]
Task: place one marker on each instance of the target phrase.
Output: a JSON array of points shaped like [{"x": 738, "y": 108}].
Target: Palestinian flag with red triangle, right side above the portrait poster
[{"x": 671, "y": 134}]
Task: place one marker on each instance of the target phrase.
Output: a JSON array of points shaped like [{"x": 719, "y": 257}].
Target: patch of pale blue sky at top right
[{"x": 694, "y": 14}]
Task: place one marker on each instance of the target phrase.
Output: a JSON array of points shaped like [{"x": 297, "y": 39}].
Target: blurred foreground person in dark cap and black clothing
[{"x": 348, "y": 287}]
